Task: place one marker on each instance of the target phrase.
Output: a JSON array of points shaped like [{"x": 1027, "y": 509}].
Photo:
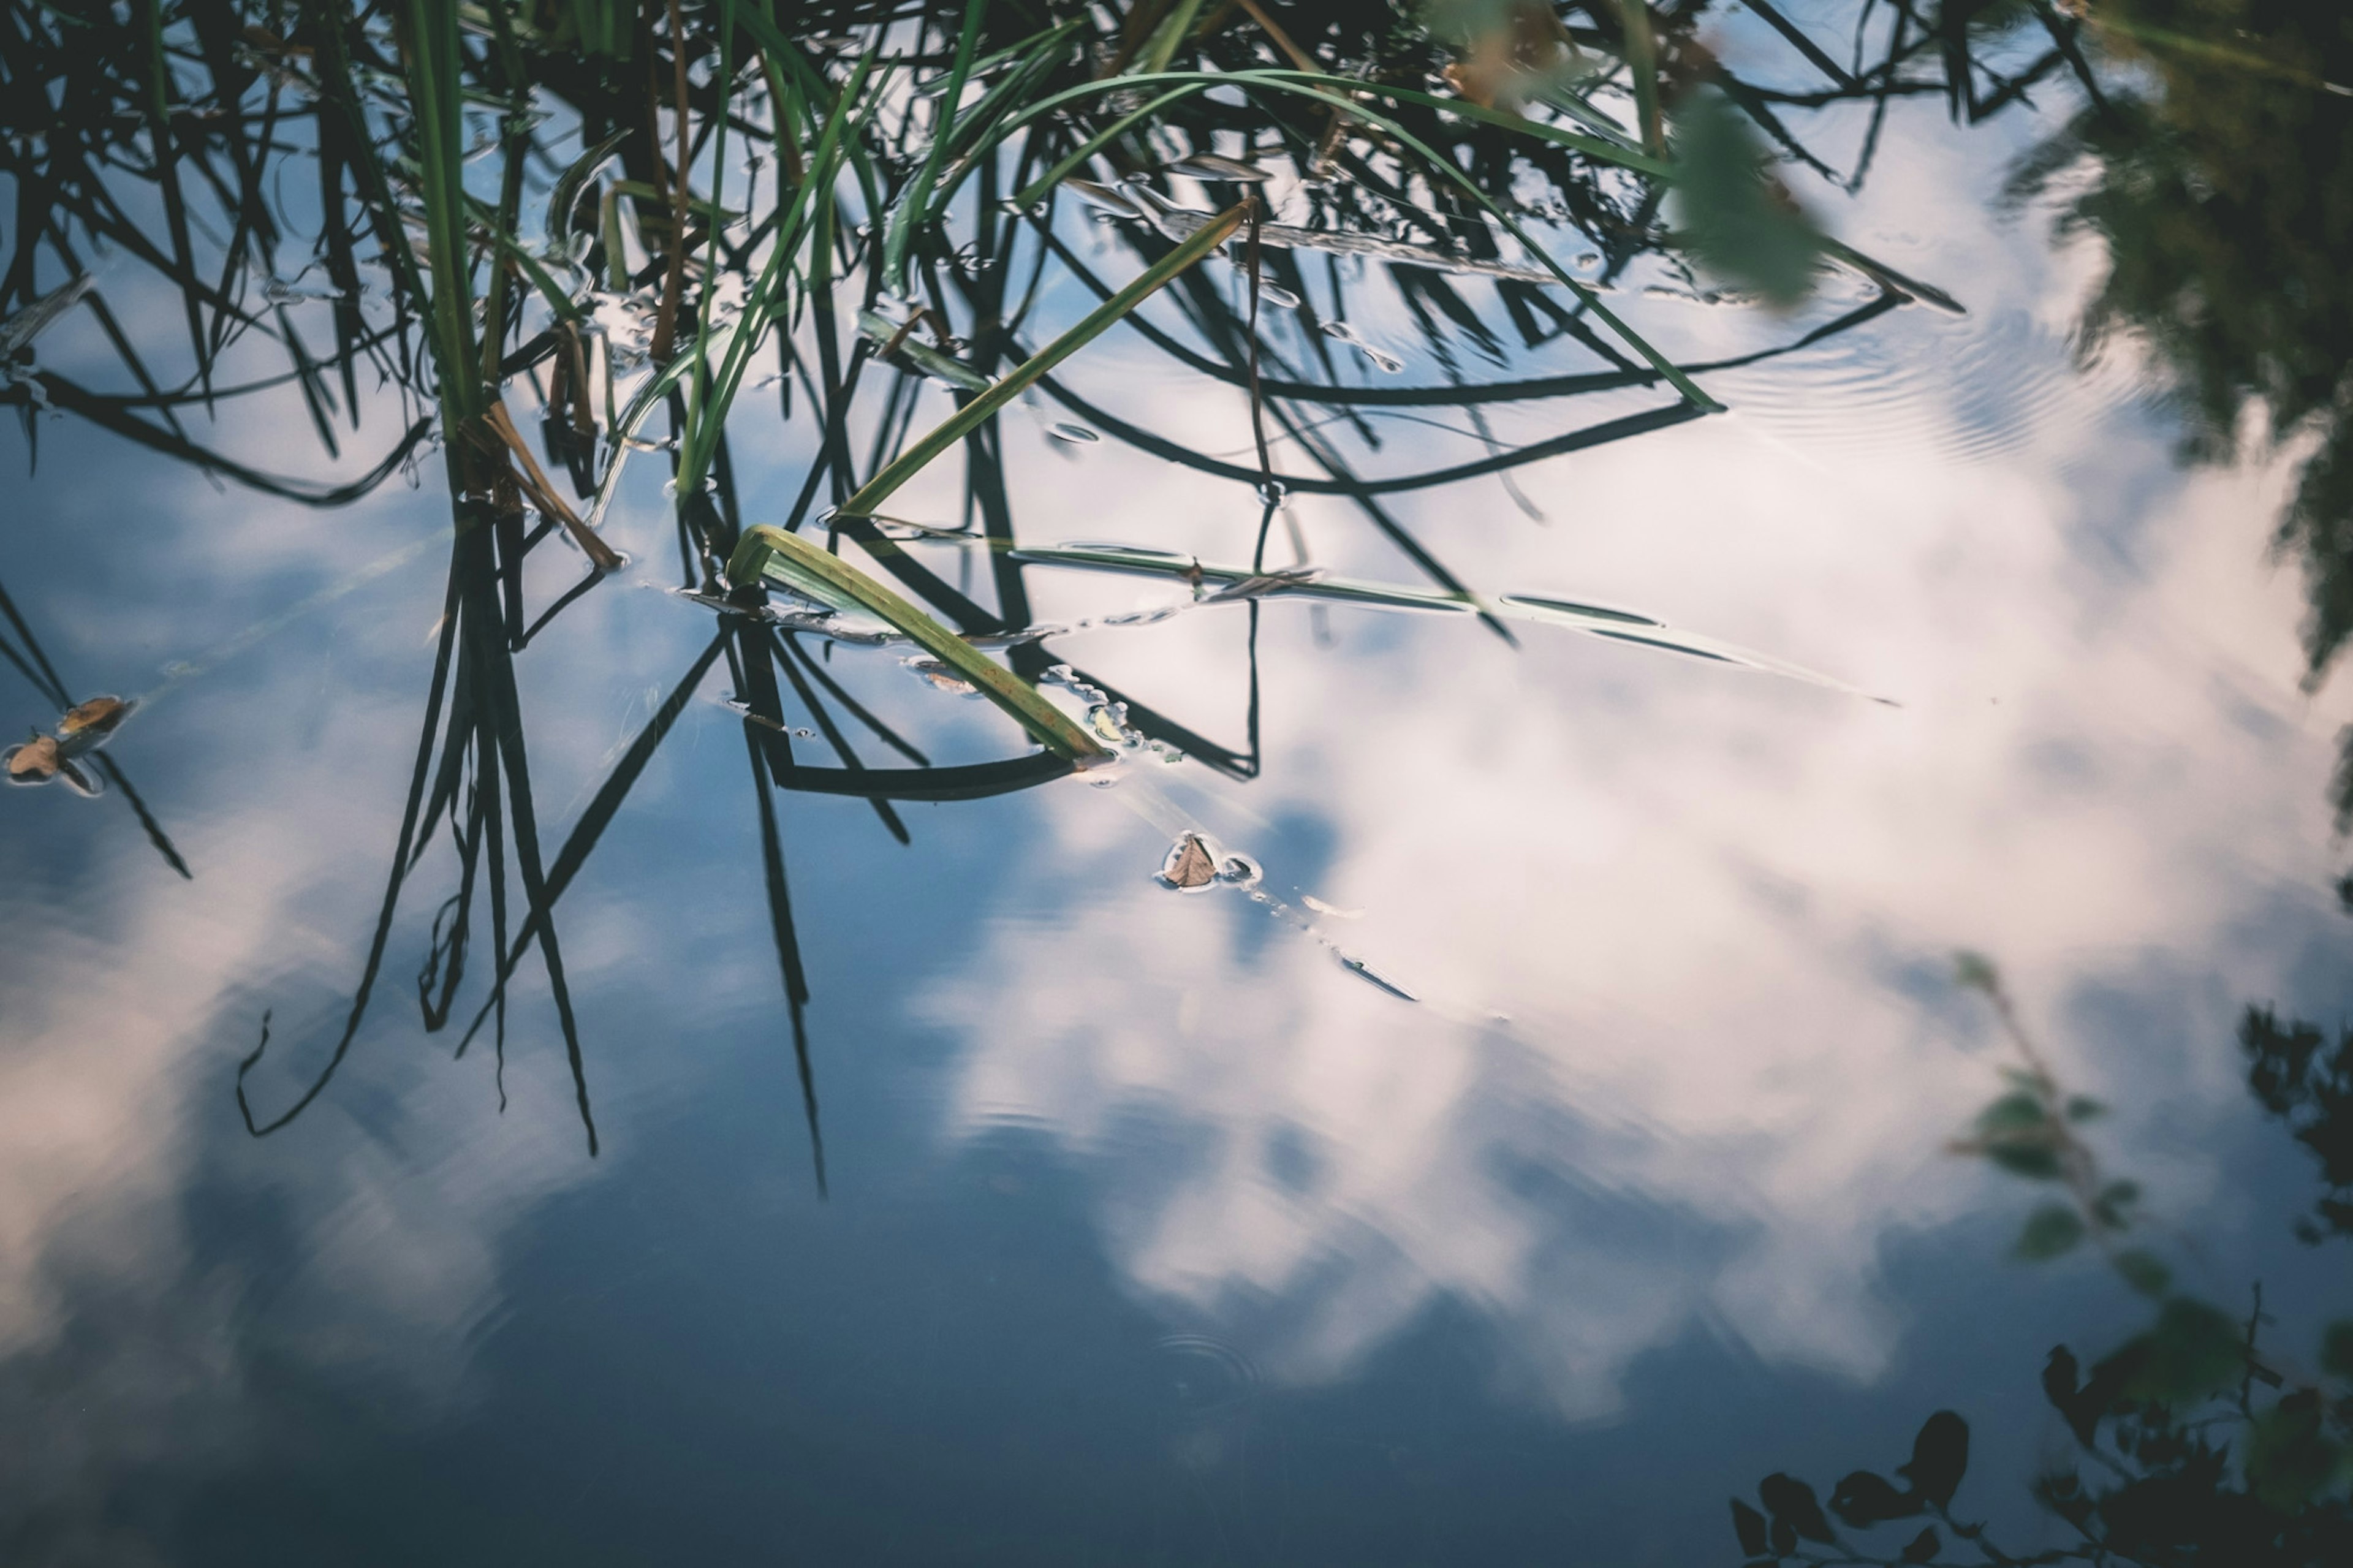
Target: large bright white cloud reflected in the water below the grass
[{"x": 1714, "y": 910}]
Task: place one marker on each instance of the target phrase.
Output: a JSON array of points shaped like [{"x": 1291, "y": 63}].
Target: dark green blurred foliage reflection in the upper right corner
[{"x": 2222, "y": 204}]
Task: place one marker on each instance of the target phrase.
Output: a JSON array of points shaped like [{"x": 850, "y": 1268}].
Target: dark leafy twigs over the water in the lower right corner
[{"x": 2192, "y": 1447}]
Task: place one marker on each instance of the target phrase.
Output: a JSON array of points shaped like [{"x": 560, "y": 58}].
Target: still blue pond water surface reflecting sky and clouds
[{"x": 1552, "y": 1143}]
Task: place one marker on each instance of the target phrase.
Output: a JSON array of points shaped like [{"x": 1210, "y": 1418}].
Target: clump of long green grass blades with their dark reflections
[{"x": 615, "y": 218}]
